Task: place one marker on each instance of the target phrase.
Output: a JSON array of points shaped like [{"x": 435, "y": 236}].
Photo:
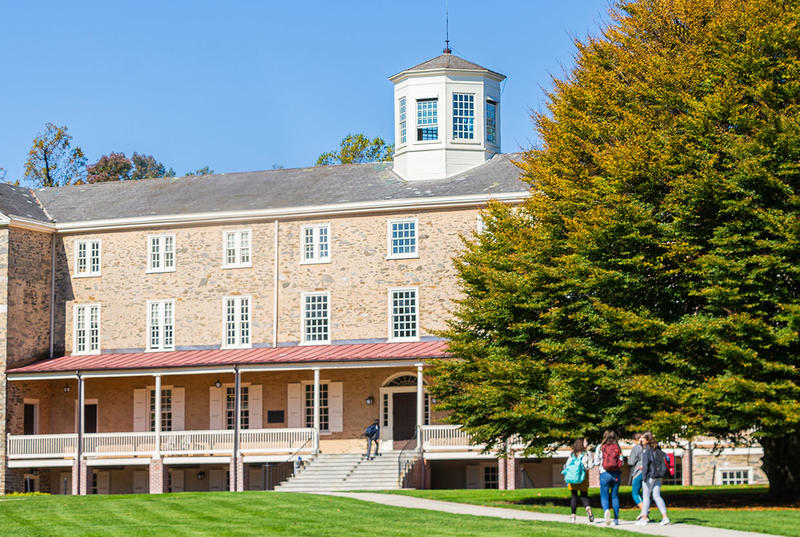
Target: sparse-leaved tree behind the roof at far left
[{"x": 52, "y": 161}]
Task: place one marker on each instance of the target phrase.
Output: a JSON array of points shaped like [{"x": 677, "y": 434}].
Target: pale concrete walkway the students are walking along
[{"x": 674, "y": 530}]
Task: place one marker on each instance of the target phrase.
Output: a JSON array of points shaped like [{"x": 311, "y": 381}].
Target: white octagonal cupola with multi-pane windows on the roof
[{"x": 446, "y": 117}]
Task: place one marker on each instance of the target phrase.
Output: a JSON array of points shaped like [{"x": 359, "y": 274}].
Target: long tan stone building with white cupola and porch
[{"x": 212, "y": 332}]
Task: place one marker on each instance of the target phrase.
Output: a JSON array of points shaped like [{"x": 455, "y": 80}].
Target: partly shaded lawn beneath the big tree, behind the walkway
[{"x": 741, "y": 508}]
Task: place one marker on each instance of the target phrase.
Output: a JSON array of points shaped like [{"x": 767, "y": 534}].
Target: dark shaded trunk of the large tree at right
[{"x": 781, "y": 463}]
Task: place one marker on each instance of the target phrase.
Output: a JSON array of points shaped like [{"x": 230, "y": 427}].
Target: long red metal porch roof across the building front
[{"x": 277, "y": 355}]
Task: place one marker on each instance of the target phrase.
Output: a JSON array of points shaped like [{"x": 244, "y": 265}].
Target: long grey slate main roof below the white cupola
[{"x": 272, "y": 189}]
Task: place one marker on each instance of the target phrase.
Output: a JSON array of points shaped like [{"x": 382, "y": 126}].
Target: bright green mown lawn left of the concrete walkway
[{"x": 222, "y": 514}]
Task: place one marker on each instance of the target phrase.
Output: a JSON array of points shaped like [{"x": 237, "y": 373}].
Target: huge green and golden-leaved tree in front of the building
[{"x": 652, "y": 279}]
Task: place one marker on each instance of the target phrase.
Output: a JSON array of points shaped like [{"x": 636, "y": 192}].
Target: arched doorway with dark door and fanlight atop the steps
[{"x": 398, "y": 410}]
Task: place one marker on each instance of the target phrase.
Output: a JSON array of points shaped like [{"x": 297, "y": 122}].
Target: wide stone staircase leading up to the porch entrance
[{"x": 349, "y": 471}]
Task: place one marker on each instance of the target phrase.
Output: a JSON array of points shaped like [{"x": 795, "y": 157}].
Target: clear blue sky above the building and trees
[{"x": 246, "y": 85}]
